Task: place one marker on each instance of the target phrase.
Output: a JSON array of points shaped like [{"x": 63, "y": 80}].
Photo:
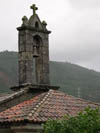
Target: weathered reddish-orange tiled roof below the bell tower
[{"x": 48, "y": 105}]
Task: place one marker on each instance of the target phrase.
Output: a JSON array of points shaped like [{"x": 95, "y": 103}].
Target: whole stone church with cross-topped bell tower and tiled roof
[{"x": 35, "y": 100}]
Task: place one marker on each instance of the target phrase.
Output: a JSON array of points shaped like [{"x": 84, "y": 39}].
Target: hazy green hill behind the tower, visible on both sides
[{"x": 72, "y": 79}]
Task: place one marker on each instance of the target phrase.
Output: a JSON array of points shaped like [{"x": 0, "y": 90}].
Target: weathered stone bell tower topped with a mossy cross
[{"x": 33, "y": 50}]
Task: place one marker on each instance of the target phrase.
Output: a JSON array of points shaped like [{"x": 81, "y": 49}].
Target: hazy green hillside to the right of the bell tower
[{"x": 76, "y": 80}]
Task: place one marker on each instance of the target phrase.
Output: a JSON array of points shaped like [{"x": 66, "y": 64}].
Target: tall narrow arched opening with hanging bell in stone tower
[{"x": 37, "y": 58}]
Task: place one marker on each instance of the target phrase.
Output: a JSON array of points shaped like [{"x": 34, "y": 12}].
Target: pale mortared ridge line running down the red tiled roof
[{"x": 39, "y": 105}]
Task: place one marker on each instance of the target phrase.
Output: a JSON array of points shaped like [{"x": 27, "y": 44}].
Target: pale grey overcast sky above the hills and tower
[{"x": 75, "y": 26}]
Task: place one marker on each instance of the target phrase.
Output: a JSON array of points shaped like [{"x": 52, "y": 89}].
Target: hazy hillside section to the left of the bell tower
[{"x": 8, "y": 70}]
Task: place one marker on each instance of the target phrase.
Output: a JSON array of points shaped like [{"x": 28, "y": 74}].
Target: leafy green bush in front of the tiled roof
[{"x": 87, "y": 121}]
